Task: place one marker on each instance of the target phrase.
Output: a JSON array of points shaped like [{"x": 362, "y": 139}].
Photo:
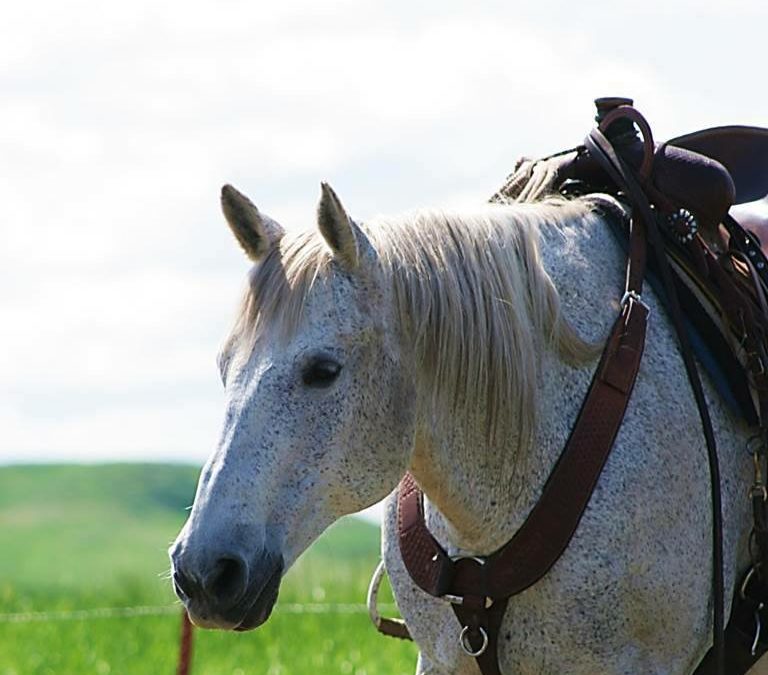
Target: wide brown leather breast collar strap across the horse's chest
[{"x": 479, "y": 588}]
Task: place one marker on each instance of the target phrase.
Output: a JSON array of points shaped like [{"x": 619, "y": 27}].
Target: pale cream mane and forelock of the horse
[{"x": 470, "y": 291}]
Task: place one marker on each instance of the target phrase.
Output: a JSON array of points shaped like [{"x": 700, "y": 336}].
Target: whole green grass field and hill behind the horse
[{"x": 83, "y": 537}]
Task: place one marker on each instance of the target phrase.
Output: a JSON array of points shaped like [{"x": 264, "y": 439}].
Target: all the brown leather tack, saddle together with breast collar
[{"x": 671, "y": 199}]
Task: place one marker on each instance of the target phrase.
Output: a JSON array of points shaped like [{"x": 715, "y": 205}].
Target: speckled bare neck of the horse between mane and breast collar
[{"x": 478, "y": 499}]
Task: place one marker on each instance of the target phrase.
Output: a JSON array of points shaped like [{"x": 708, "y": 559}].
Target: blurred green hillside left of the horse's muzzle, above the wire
[{"x": 73, "y": 528}]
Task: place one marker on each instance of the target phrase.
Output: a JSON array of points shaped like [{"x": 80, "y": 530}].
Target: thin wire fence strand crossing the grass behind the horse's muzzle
[{"x": 163, "y": 610}]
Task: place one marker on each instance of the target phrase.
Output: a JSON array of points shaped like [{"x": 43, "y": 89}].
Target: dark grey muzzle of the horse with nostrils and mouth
[{"x": 230, "y": 593}]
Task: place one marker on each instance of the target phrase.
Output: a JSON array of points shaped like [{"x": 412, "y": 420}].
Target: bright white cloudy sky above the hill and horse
[{"x": 119, "y": 122}]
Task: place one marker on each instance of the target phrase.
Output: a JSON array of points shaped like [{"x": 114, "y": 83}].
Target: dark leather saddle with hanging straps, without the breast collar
[{"x": 720, "y": 278}]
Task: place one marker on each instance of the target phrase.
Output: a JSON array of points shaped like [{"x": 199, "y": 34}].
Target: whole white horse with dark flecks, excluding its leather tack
[{"x": 459, "y": 347}]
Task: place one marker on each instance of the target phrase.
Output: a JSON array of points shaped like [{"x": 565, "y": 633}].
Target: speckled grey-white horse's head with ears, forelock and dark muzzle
[{"x": 319, "y": 417}]
